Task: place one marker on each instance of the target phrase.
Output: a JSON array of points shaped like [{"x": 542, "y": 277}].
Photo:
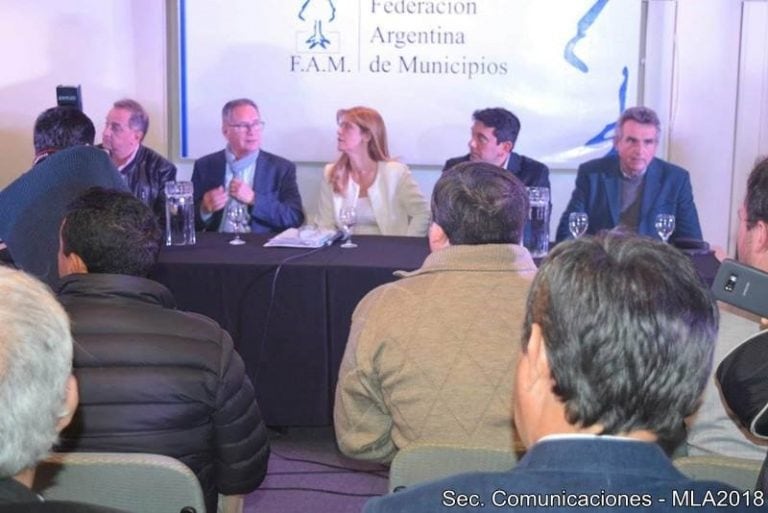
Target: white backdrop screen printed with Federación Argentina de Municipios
[{"x": 424, "y": 65}]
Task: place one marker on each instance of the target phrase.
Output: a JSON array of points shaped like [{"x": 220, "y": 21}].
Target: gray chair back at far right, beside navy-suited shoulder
[{"x": 738, "y": 472}]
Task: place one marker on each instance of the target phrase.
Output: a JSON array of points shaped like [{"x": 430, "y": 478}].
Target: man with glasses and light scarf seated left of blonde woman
[{"x": 243, "y": 172}]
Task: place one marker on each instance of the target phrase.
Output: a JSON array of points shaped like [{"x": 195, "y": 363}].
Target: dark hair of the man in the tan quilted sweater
[{"x": 479, "y": 203}]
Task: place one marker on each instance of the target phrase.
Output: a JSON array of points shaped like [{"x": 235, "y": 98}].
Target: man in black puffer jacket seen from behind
[{"x": 152, "y": 378}]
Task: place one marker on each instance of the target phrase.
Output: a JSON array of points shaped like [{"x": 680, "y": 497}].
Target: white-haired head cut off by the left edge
[{"x": 38, "y": 394}]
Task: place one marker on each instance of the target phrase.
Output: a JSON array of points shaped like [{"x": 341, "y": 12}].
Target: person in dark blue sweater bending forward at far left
[{"x": 31, "y": 207}]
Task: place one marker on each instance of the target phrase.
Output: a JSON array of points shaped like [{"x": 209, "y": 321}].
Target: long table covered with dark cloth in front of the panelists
[{"x": 289, "y": 310}]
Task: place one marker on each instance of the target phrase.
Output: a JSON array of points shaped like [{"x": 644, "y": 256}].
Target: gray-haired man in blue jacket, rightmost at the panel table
[{"x": 631, "y": 188}]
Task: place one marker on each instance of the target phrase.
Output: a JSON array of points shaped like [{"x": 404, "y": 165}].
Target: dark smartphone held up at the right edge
[{"x": 742, "y": 286}]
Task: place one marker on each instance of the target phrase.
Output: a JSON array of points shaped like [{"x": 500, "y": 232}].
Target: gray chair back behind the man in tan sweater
[{"x": 418, "y": 463}]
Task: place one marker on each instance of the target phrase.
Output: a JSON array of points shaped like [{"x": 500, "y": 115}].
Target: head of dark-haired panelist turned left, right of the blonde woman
[{"x": 494, "y": 133}]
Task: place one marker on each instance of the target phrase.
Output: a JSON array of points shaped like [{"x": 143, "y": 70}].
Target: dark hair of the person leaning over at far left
[{"x": 58, "y": 128}]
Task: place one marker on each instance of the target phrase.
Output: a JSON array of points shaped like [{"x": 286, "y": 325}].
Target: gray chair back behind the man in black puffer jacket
[{"x": 134, "y": 482}]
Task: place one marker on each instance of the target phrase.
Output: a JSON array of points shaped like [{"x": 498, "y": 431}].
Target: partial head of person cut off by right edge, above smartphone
[{"x": 753, "y": 219}]
